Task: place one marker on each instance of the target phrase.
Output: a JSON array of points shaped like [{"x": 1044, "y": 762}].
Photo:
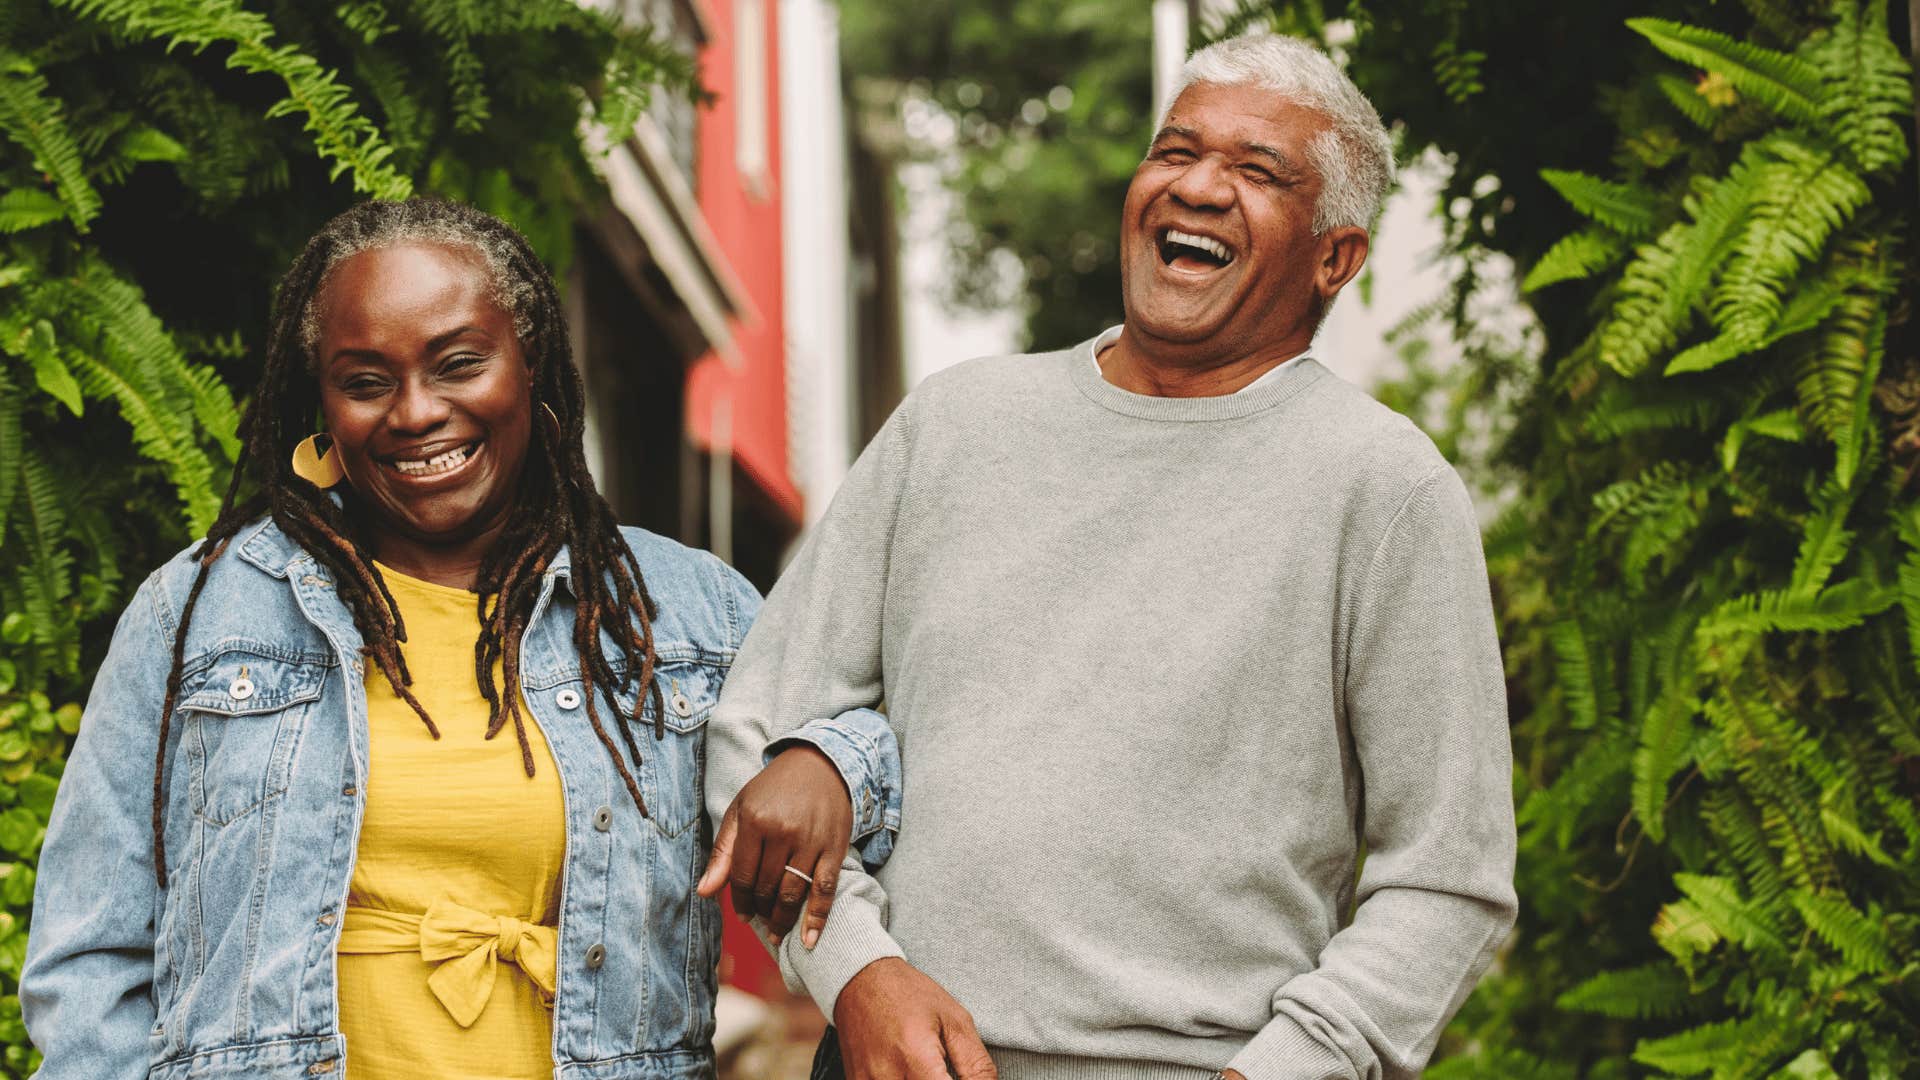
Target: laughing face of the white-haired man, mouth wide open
[{"x": 1218, "y": 245}]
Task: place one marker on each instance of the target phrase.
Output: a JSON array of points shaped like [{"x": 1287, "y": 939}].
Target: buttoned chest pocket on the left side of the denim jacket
[{"x": 241, "y": 718}]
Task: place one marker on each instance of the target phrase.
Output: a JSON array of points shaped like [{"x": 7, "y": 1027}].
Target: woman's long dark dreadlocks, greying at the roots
[{"x": 558, "y": 503}]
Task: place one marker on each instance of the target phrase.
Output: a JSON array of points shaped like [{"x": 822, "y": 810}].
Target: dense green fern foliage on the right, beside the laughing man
[{"x": 1717, "y": 462}]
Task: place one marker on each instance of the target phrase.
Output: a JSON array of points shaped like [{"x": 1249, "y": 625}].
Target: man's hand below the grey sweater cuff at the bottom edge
[{"x": 900, "y": 1025}]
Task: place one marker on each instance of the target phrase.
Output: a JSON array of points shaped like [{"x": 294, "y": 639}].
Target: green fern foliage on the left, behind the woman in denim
[{"x": 162, "y": 160}]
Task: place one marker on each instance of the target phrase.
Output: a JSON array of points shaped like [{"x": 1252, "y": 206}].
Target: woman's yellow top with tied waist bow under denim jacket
[{"x": 448, "y": 948}]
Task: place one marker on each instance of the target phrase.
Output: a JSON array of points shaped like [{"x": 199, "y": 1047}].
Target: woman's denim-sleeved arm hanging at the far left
[{"x": 87, "y": 985}]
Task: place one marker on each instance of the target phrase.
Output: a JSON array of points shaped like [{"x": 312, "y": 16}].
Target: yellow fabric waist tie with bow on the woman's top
[{"x": 468, "y": 946}]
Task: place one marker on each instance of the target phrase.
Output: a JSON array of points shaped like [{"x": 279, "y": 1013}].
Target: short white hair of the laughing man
[{"x": 1355, "y": 157}]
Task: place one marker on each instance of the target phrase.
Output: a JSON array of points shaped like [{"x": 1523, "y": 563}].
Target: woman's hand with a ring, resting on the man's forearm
[{"x": 796, "y": 816}]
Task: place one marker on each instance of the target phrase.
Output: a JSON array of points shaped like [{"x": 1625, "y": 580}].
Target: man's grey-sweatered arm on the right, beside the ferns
[{"x": 1426, "y": 702}]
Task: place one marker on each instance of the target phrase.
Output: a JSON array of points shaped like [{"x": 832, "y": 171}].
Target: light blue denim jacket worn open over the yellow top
[{"x": 229, "y": 971}]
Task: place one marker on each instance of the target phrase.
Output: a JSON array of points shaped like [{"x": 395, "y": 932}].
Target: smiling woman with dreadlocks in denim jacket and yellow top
[{"x": 289, "y": 829}]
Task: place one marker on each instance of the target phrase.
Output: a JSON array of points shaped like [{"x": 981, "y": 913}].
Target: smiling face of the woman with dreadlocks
[{"x": 429, "y": 399}]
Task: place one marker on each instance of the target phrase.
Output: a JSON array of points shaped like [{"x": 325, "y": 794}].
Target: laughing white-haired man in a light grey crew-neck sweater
[{"x": 1189, "y": 652}]
